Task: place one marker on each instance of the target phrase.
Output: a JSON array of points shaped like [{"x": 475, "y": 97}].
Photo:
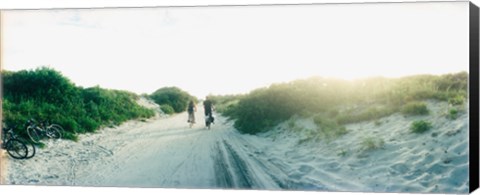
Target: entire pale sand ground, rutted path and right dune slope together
[{"x": 164, "y": 152}]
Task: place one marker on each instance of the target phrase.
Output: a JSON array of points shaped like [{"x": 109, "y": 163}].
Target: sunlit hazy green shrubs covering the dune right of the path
[{"x": 334, "y": 103}]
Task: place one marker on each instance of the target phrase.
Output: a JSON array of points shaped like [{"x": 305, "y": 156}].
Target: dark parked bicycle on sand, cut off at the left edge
[{"x": 15, "y": 147}]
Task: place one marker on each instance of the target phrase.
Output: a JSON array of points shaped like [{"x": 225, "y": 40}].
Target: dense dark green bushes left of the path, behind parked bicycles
[{"x": 45, "y": 94}]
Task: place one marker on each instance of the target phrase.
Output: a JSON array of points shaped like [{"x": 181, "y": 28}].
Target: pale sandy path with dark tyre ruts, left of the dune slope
[{"x": 163, "y": 152}]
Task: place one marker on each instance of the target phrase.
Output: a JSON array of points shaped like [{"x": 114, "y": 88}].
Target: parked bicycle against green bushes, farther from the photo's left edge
[{"x": 37, "y": 131}]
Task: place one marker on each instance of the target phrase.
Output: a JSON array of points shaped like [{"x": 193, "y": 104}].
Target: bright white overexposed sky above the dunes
[{"x": 227, "y": 50}]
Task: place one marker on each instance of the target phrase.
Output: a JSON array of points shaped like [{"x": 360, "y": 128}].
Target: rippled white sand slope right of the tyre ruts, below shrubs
[{"x": 435, "y": 161}]
